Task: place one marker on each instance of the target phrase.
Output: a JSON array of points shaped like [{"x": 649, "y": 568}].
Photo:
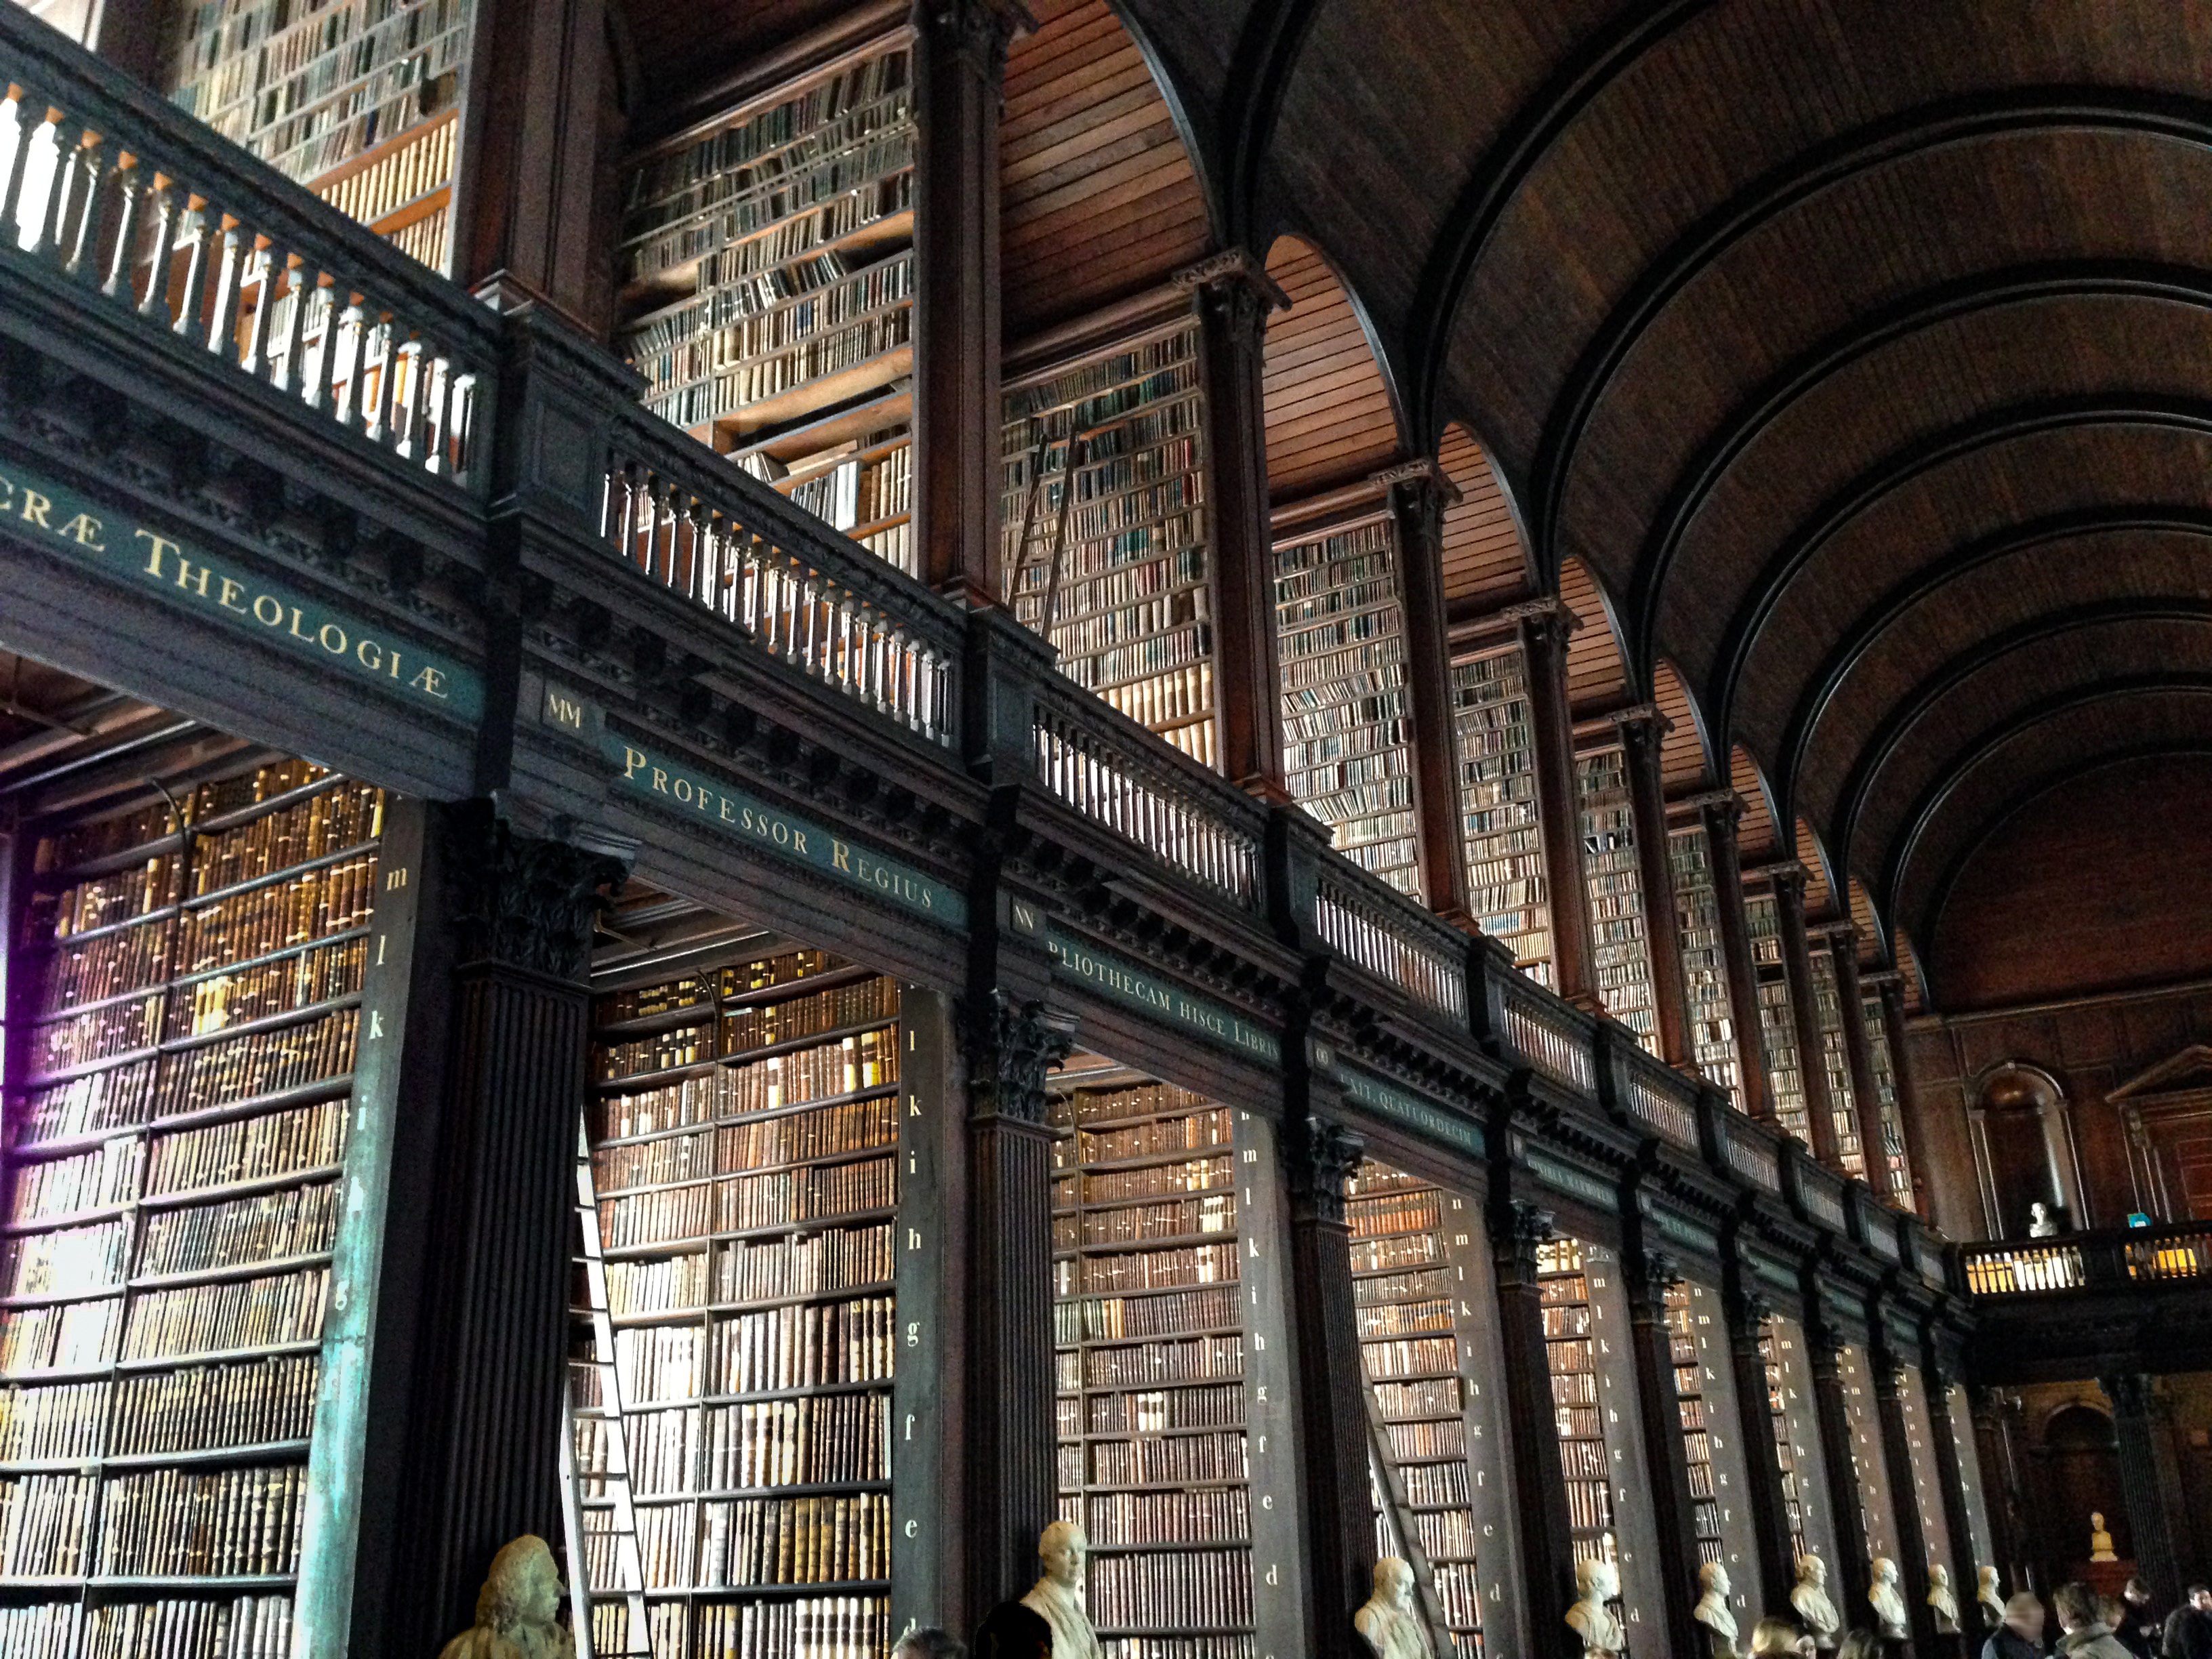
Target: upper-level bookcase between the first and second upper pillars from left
[{"x": 766, "y": 267}]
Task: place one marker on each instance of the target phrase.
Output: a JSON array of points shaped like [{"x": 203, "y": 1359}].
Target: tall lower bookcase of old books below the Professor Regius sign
[{"x": 744, "y": 1134}]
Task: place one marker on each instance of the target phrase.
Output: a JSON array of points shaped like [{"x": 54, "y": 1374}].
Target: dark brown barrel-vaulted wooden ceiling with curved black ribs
[{"x": 1861, "y": 348}]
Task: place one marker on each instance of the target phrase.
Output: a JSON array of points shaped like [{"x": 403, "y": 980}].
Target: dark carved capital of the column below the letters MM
[{"x": 525, "y": 901}]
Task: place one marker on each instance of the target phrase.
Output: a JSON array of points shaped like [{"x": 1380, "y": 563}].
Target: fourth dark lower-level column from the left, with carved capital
[{"x": 1538, "y": 1483}]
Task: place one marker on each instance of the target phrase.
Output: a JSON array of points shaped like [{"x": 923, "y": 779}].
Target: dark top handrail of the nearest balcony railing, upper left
[{"x": 136, "y": 118}]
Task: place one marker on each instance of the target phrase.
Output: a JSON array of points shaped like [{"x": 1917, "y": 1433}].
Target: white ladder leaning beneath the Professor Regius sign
[{"x": 605, "y": 1556}]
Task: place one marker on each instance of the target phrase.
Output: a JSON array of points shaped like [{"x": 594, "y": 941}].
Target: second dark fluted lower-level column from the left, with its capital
[{"x": 1012, "y": 1432}]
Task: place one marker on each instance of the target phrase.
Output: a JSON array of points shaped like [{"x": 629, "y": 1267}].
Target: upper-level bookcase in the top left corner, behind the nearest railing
[{"x": 355, "y": 101}]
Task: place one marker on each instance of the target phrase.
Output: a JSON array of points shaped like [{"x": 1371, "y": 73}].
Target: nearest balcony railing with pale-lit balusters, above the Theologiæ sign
[{"x": 167, "y": 233}]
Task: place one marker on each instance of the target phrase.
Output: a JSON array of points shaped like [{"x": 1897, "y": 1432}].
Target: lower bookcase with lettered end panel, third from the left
[{"x": 1169, "y": 1333}]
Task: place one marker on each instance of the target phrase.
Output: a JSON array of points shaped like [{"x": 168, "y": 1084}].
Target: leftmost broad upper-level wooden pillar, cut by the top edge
[{"x": 528, "y": 213}]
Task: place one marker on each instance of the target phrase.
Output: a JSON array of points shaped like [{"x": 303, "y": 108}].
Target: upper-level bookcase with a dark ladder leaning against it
[{"x": 1105, "y": 530}]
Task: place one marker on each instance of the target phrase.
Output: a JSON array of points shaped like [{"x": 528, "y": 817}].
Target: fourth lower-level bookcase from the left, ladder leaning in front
[{"x": 1437, "y": 1461}]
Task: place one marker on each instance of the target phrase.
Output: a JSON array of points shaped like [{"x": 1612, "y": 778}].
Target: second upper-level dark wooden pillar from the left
[{"x": 959, "y": 90}]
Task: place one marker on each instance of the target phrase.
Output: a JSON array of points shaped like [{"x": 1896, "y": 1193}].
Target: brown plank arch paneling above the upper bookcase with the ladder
[{"x": 1098, "y": 196}]
